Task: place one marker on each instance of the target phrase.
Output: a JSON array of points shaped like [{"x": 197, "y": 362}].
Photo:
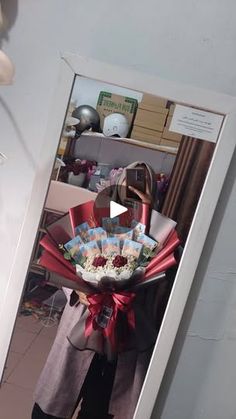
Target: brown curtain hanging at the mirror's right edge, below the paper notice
[{"x": 187, "y": 179}]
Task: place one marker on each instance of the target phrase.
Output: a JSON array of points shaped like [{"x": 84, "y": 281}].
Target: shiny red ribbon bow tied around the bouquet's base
[{"x": 116, "y": 301}]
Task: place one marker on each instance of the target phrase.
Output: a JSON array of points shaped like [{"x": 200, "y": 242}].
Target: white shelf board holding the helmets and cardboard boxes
[{"x": 165, "y": 149}]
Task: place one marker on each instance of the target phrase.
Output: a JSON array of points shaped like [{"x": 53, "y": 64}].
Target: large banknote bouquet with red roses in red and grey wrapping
[{"x": 110, "y": 259}]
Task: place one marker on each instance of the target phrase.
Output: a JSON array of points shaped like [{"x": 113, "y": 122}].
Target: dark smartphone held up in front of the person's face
[{"x": 137, "y": 178}]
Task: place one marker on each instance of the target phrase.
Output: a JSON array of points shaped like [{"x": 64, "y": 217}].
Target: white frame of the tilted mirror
[{"x": 72, "y": 65}]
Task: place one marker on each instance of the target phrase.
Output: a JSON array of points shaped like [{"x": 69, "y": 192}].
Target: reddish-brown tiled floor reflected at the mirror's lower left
[{"x": 30, "y": 346}]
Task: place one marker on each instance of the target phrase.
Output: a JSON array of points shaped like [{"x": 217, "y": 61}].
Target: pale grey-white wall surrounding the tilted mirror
[{"x": 189, "y": 41}]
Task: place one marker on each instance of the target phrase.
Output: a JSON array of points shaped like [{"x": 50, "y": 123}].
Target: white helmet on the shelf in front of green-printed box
[{"x": 116, "y": 124}]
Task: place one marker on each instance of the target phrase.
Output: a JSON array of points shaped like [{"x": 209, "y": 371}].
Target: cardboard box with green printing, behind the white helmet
[{"x": 110, "y": 103}]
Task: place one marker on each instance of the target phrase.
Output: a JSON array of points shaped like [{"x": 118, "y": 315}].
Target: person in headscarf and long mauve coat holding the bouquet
[{"x": 103, "y": 388}]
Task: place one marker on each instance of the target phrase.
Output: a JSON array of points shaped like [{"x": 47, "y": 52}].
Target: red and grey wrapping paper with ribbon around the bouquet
[{"x": 85, "y": 335}]
